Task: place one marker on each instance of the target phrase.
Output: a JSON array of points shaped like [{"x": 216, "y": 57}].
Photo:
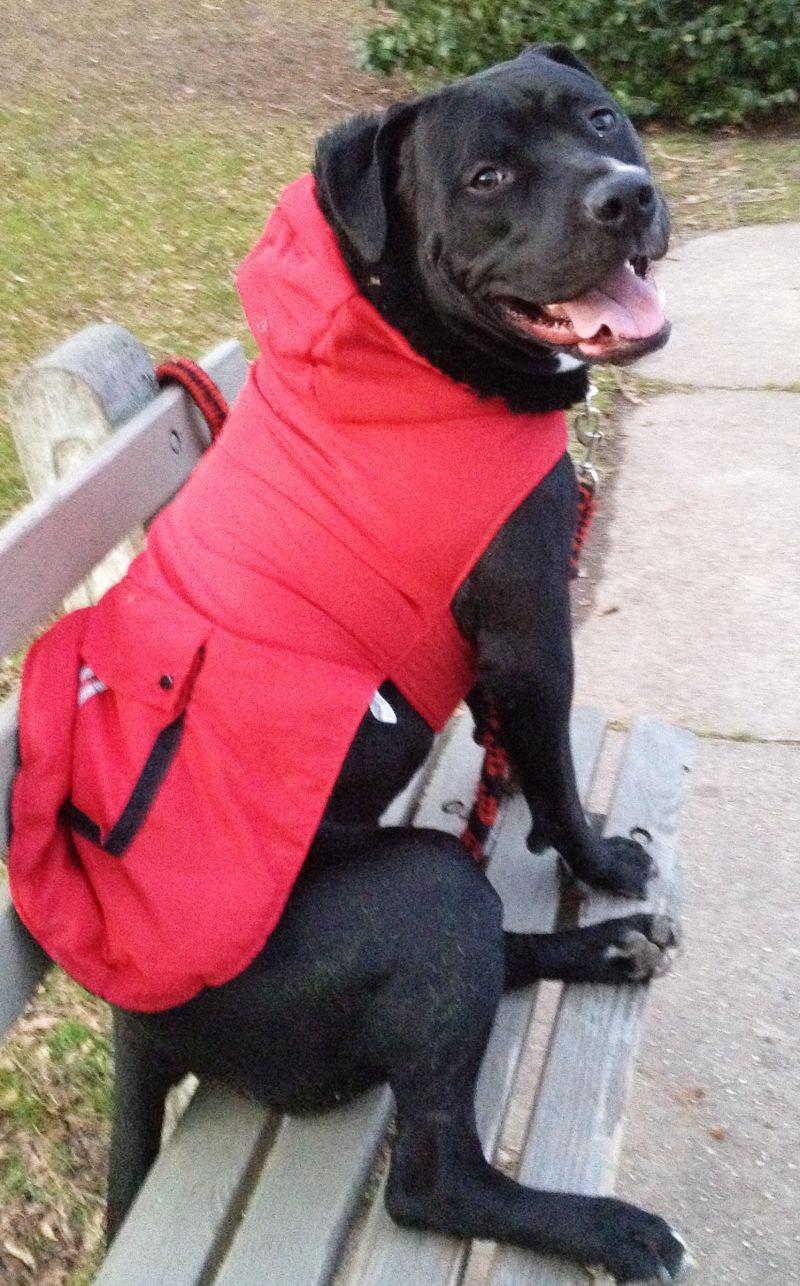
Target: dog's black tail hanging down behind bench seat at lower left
[{"x": 143, "y": 1077}]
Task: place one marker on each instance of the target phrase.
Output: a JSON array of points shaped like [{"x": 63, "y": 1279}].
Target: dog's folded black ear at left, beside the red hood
[{"x": 353, "y": 168}]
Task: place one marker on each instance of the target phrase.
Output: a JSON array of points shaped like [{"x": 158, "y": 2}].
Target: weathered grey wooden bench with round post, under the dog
[{"x": 240, "y": 1197}]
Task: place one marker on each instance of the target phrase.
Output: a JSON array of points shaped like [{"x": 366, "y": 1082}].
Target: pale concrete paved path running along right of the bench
[{"x": 698, "y": 619}]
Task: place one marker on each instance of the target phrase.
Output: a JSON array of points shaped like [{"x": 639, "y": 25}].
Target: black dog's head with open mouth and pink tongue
[{"x": 516, "y": 204}]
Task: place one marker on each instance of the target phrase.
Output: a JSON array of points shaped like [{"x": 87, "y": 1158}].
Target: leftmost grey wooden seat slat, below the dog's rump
[{"x": 186, "y": 1213}]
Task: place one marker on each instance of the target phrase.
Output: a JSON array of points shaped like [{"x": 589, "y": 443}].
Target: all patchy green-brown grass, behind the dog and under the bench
[{"x": 140, "y": 160}]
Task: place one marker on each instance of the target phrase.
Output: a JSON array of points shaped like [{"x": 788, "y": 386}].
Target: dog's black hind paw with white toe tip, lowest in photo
[{"x": 637, "y": 1247}]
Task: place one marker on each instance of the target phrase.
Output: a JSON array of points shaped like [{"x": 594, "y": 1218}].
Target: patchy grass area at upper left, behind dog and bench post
[{"x": 141, "y": 159}]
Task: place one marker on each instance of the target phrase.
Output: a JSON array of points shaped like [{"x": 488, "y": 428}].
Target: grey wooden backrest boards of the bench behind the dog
[{"x": 52, "y": 545}]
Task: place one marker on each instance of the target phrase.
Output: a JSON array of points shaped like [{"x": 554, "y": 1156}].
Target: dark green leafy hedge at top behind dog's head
[{"x": 678, "y": 60}]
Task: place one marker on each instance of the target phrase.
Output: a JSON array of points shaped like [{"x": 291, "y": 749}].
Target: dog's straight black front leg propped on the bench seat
[{"x": 515, "y": 608}]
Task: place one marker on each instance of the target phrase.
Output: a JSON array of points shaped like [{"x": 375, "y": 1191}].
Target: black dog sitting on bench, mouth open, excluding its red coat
[{"x": 464, "y": 217}]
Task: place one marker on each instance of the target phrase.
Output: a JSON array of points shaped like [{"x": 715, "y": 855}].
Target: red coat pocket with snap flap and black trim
[{"x": 140, "y": 659}]
